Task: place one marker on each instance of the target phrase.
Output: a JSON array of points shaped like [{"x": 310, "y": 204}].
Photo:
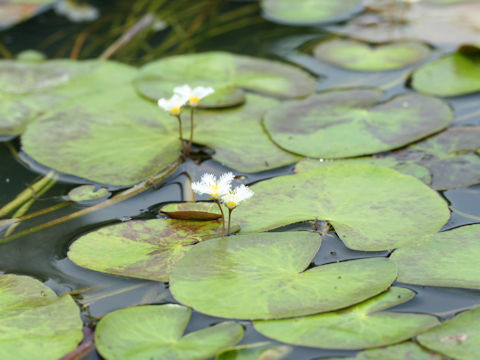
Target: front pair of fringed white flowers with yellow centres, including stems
[{"x": 221, "y": 190}]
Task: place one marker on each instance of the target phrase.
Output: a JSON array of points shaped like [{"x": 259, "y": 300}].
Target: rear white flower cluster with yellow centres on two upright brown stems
[{"x": 183, "y": 95}]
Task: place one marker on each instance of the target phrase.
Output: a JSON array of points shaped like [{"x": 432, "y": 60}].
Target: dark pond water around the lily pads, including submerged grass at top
[{"x": 242, "y": 30}]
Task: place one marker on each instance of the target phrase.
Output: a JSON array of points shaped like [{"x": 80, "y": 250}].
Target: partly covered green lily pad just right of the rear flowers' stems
[{"x": 248, "y": 148}]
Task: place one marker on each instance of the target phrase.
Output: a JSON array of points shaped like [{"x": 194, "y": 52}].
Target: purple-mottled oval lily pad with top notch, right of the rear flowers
[{"x": 343, "y": 123}]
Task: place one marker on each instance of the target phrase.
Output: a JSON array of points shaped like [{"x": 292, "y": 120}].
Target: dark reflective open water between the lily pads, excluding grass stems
[{"x": 43, "y": 254}]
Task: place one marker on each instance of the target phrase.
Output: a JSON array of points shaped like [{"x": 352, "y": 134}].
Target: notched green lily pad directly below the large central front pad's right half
[{"x": 361, "y": 326}]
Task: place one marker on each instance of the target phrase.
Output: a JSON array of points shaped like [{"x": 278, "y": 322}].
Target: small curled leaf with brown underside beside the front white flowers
[{"x": 192, "y": 211}]
